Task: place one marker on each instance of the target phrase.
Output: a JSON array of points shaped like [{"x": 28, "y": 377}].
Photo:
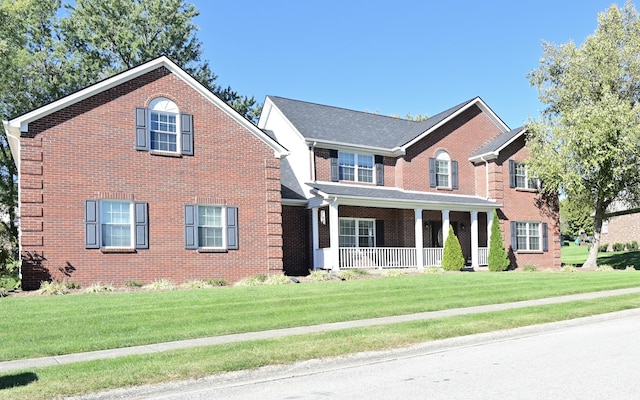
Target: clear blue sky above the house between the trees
[{"x": 391, "y": 57}]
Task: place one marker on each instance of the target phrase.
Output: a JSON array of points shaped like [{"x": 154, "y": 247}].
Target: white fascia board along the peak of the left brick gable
[{"x": 23, "y": 121}]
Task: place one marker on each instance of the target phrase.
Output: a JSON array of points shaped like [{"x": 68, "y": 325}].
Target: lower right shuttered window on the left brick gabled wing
[{"x": 211, "y": 227}]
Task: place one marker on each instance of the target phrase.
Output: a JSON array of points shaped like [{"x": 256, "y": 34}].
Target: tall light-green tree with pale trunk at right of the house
[{"x": 585, "y": 143}]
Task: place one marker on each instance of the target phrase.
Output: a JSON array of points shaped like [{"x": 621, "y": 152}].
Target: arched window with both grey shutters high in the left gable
[{"x": 162, "y": 129}]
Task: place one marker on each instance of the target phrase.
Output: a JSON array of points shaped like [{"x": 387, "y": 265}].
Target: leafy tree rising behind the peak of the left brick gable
[{"x": 114, "y": 35}]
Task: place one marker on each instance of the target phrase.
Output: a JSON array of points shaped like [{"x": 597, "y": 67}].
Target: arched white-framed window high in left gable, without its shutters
[{"x": 163, "y": 125}]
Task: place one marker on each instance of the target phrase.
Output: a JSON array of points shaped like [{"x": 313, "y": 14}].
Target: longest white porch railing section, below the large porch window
[{"x": 377, "y": 257}]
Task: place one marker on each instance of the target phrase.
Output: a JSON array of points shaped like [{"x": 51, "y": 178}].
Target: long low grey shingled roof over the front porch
[{"x": 376, "y": 196}]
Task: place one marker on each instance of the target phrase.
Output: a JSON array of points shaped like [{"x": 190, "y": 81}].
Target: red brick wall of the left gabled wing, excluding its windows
[{"x": 86, "y": 151}]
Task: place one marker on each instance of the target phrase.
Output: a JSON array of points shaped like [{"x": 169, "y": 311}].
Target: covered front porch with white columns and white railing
[{"x": 387, "y": 230}]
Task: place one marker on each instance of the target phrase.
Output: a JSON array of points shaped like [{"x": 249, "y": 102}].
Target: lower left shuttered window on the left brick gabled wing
[{"x": 116, "y": 224}]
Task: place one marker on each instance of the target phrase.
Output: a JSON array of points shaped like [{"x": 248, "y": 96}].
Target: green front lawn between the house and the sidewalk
[{"x": 35, "y": 326}]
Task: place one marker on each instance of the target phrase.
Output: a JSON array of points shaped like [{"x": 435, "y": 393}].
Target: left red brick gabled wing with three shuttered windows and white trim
[{"x": 144, "y": 176}]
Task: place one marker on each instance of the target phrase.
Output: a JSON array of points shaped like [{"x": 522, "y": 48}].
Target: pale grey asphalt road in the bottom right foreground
[{"x": 588, "y": 358}]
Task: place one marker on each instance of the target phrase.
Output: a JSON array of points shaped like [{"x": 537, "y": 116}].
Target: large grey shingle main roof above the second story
[{"x": 328, "y": 123}]
